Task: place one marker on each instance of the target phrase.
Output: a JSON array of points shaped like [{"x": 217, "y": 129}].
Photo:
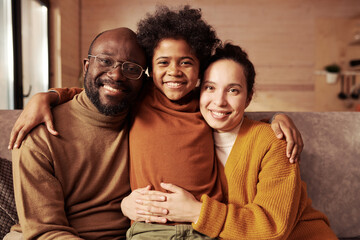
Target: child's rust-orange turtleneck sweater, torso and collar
[{"x": 170, "y": 142}]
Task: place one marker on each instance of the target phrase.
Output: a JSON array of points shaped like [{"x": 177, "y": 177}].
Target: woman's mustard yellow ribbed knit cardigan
[{"x": 266, "y": 197}]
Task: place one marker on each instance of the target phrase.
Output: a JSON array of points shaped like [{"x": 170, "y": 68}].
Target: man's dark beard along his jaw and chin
[{"x": 93, "y": 94}]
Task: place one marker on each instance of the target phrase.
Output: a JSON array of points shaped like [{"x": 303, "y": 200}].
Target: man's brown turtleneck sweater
[{"x": 71, "y": 186}]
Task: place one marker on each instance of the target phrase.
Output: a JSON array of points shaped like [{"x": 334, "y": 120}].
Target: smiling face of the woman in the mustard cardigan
[{"x": 224, "y": 95}]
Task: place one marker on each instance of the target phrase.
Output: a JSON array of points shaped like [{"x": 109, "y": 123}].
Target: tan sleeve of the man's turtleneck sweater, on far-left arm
[{"x": 39, "y": 197}]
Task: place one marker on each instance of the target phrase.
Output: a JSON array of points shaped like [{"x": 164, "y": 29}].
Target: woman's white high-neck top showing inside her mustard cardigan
[{"x": 224, "y": 142}]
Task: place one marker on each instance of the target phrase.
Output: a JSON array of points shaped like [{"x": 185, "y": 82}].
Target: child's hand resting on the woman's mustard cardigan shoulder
[{"x": 283, "y": 126}]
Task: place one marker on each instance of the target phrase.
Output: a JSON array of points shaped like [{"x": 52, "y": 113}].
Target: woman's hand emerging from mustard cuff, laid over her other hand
[{"x": 181, "y": 205}]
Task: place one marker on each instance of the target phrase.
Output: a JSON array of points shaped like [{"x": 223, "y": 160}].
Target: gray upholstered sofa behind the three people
[{"x": 330, "y": 165}]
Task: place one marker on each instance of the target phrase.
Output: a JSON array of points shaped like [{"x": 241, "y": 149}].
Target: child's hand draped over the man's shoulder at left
[{"x": 37, "y": 111}]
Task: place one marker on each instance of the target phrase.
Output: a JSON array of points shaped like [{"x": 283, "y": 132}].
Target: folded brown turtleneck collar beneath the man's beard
[{"x": 92, "y": 115}]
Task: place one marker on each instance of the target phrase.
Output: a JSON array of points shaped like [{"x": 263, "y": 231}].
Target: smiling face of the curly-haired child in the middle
[{"x": 175, "y": 68}]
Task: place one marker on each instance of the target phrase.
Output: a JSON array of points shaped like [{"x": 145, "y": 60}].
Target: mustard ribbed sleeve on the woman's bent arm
[{"x": 271, "y": 214}]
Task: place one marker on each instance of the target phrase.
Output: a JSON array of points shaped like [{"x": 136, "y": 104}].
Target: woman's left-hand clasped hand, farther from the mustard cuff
[{"x": 135, "y": 211}]
